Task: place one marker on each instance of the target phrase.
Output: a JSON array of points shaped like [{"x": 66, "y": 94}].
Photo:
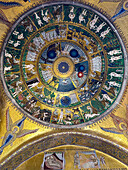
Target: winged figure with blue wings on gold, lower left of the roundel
[{"x": 14, "y": 130}]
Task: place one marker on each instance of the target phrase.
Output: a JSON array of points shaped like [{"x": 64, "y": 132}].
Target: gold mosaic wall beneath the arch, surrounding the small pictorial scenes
[{"x": 76, "y": 155}]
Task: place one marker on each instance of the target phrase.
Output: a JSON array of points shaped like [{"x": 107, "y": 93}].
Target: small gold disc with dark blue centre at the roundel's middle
[{"x": 63, "y": 67}]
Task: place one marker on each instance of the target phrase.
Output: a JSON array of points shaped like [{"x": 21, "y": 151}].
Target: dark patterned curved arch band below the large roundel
[{"x": 65, "y": 138}]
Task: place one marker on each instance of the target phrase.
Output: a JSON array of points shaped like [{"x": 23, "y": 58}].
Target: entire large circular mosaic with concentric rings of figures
[{"x": 63, "y": 65}]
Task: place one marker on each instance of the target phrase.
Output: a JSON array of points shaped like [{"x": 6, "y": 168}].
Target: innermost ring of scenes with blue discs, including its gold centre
[{"x": 63, "y": 66}]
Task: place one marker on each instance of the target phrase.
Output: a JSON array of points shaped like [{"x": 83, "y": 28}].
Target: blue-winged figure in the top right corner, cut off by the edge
[{"x": 121, "y": 10}]
